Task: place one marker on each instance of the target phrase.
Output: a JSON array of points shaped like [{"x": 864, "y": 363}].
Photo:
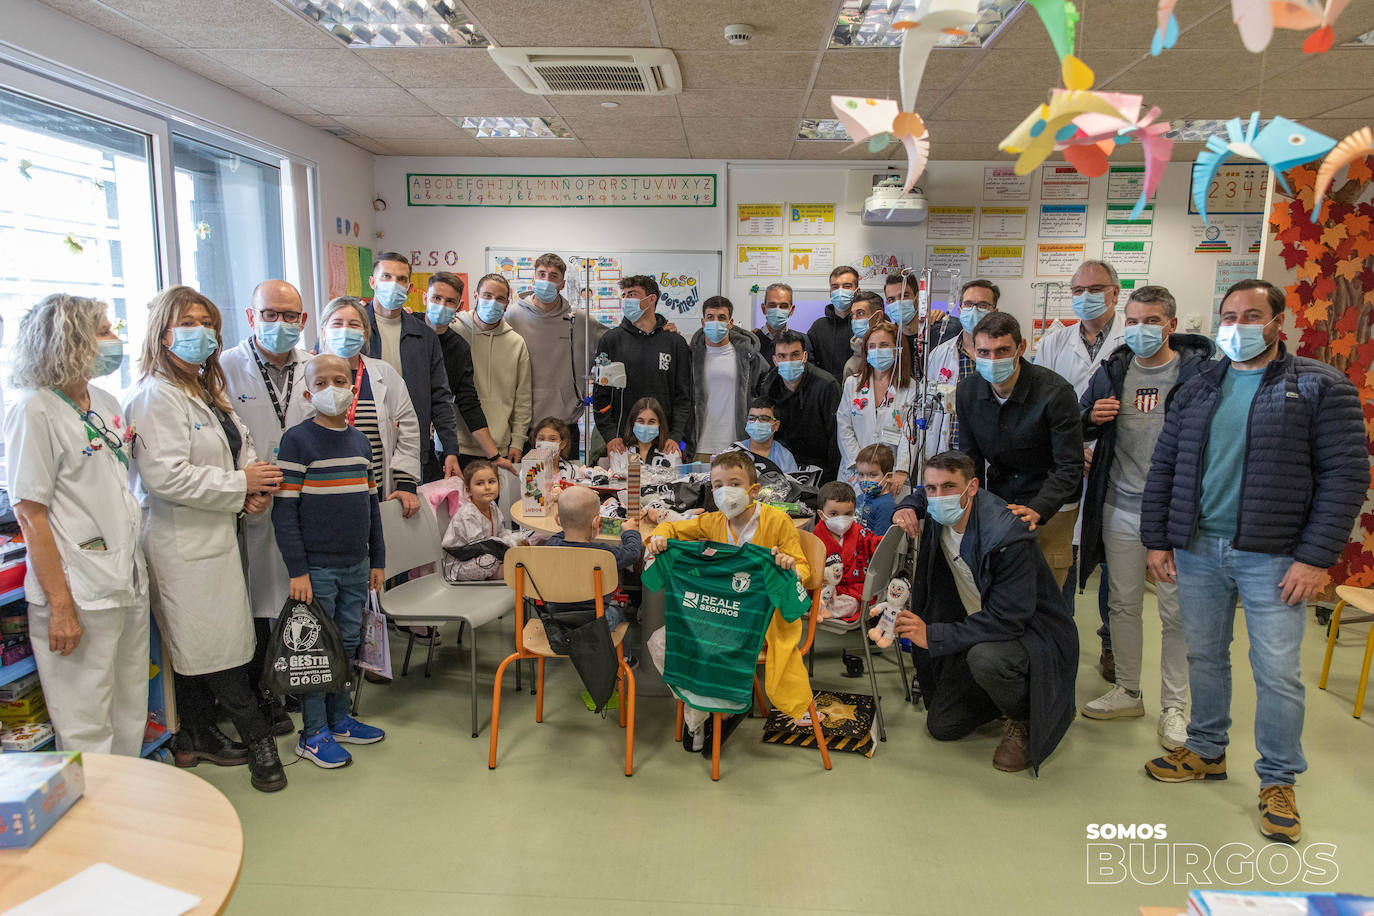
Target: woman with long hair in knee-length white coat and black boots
[{"x": 194, "y": 473}]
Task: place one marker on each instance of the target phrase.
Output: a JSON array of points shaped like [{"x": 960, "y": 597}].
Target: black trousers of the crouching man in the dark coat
[{"x": 987, "y": 682}]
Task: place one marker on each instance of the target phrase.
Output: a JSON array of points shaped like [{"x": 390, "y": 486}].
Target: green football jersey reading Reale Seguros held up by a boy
[{"x": 718, "y": 602}]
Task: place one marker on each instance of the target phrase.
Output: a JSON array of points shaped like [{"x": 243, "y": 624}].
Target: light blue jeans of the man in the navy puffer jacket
[{"x": 1211, "y": 576}]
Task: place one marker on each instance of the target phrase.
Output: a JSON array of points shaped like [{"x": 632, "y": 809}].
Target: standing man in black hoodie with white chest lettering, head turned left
[{"x": 657, "y": 365}]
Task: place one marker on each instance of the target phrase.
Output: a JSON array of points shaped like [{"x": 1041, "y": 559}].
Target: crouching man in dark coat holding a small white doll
[{"x": 993, "y": 634}]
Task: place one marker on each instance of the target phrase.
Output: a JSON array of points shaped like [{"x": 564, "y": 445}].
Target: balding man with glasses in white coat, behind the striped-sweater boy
[{"x": 266, "y": 376}]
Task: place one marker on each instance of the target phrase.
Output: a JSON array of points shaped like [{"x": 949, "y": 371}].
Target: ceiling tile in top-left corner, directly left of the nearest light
[{"x": 227, "y": 24}]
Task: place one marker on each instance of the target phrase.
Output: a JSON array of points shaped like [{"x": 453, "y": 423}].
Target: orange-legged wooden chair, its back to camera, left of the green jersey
[{"x": 563, "y": 575}]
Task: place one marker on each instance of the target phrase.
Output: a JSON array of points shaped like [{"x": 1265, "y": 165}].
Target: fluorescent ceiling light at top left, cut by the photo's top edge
[{"x": 392, "y": 24}]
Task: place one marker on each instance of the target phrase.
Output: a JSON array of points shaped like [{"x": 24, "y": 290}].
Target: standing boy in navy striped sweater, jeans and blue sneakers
[{"x": 329, "y": 528}]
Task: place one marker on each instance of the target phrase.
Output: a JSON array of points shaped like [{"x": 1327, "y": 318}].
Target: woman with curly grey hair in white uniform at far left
[{"x": 68, "y": 476}]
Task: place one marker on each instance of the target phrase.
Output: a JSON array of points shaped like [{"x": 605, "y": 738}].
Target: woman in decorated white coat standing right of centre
[{"x": 876, "y": 404}]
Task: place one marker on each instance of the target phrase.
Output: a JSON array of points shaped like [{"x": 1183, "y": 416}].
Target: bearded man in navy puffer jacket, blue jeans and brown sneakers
[{"x": 1258, "y": 477}]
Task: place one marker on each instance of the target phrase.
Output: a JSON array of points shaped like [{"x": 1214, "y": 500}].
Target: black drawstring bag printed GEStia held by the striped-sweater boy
[{"x": 306, "y": 654}]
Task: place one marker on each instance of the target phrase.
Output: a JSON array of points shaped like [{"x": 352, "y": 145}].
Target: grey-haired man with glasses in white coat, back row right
[{"x": 1075, "y": 352}]
